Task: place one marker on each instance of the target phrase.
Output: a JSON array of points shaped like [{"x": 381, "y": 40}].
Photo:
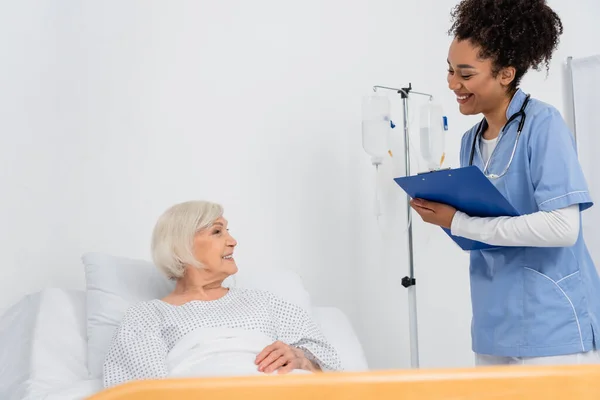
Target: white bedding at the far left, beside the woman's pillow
[{"x": 43, "y": 344}]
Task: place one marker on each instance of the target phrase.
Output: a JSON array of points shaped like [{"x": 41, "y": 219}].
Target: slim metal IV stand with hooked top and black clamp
[{"x": 409, "y": 282}]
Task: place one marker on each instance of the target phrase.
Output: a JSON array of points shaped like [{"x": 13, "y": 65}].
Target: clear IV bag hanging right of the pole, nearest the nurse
[{"x": 432, "y": 135}]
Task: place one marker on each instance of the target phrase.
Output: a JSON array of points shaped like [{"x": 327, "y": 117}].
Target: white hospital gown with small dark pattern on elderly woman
[{"x": 150, "y": 329}]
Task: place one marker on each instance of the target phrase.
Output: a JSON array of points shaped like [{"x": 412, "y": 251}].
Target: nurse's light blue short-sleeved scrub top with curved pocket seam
[{"x": 530, "y": 301}]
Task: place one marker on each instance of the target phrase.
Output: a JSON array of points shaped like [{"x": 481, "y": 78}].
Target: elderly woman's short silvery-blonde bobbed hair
[{"x": 173, "y": 235}]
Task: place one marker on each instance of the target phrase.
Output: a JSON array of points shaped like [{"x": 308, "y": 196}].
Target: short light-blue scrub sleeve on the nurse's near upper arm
[{"x": 556, "y": 174}]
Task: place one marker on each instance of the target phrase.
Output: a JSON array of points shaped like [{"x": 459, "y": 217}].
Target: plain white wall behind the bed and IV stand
[{"x": 112, "y": 111}]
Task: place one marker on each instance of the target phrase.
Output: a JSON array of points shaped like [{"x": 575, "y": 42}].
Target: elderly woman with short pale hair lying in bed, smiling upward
[{"x": 192, "y": 245}]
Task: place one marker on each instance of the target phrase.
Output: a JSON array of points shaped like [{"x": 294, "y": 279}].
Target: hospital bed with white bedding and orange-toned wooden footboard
[{"x": 45, "y": 350}]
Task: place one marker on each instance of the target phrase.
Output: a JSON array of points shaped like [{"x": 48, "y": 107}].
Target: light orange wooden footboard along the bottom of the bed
[{"x": 497, "y": 383}]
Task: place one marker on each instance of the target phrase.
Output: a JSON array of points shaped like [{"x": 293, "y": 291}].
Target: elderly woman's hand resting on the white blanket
[{"x": 283, "y": 358}]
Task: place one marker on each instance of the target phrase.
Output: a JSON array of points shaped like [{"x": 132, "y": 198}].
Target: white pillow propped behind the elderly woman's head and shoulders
[{"x": 116, "y": 283}]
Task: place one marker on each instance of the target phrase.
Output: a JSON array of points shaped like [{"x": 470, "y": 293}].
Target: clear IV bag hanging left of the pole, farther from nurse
[{"x": 376, "y": 127}]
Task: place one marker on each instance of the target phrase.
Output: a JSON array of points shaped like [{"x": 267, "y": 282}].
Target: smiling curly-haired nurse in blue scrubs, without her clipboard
[{"x": 536, "y": 299}]
